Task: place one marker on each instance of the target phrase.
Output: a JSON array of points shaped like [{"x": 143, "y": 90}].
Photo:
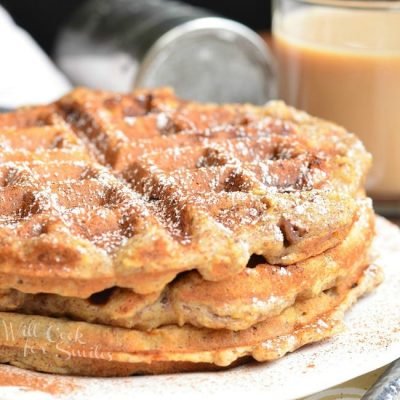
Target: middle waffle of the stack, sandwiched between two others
[{"x": 236, "y": 303}]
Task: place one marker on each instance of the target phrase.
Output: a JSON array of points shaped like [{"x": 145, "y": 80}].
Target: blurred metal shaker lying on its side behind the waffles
[{"x": 124, "y": 44}]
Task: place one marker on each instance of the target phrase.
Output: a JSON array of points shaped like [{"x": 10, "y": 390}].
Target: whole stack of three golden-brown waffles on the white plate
[{"x": 141, "y": 233}]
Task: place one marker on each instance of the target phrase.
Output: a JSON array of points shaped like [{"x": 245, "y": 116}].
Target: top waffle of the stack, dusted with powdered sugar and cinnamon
[{"x": 102, "y": 189}]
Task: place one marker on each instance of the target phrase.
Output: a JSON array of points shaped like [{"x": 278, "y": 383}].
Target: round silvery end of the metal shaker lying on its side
[{"x": 210, "y": 59}]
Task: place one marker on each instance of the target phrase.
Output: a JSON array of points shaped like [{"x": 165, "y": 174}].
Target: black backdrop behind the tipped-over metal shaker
[{"x": 43, "y": 18}]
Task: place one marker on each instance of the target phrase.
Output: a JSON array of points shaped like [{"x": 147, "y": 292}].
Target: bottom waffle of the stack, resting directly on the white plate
[{"x": 68, "y": 347}]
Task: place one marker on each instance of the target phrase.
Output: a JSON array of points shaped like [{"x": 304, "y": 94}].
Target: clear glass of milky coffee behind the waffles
[{"x": 340, "y": 60}]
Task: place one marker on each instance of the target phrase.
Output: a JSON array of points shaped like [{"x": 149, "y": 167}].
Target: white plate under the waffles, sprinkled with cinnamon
[{"x": 371, "y": 341}]
